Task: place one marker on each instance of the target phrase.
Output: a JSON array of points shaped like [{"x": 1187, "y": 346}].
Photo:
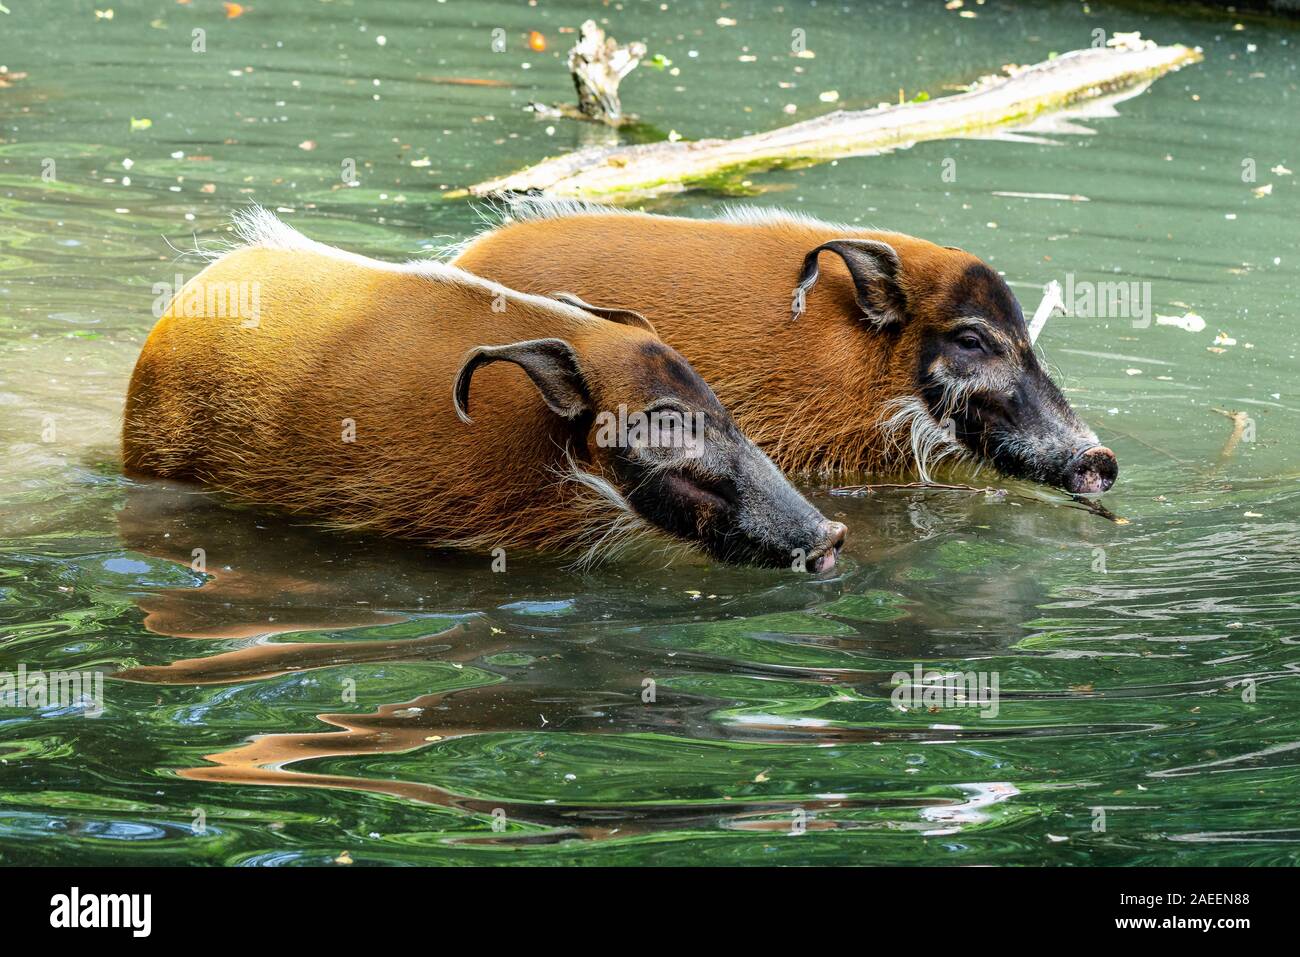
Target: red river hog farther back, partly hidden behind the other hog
[{"x": 837, "y": 348}]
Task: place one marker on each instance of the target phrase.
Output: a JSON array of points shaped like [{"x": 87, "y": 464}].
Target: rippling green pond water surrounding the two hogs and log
[{"x": 318, "y": 695}]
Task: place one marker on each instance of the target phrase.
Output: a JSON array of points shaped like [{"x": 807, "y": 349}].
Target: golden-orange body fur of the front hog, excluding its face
[{"x": 262, "y": 412}]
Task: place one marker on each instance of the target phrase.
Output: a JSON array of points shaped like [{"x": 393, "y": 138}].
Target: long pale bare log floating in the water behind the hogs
[{"x": 617, "y": 174}]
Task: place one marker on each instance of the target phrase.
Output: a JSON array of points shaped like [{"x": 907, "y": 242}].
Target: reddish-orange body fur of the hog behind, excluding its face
[{"x": 812, "y": 393}]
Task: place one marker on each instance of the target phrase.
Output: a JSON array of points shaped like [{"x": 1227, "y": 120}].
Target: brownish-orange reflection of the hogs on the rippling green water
[{"x": 570, "y": 665}]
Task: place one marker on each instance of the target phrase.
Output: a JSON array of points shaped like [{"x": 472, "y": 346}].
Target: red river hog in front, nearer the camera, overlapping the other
[{"x": 419, "y": 401}]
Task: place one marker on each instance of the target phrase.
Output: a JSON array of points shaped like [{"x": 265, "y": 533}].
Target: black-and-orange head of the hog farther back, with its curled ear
[{"x": 980, "y": 389}]
